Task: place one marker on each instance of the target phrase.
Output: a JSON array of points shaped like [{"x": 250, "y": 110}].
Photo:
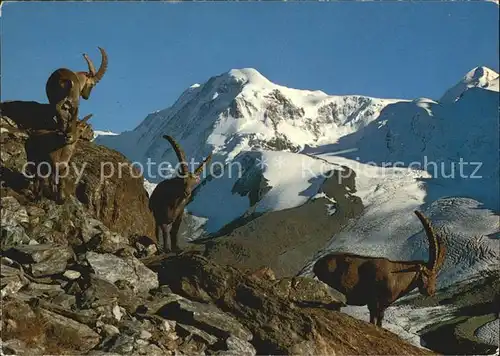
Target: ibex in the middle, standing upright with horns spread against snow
[{"x": 169, "y": 198}]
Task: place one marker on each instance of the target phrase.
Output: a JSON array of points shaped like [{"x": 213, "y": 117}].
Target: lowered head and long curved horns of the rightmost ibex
[{"x": 429, "y": 271}]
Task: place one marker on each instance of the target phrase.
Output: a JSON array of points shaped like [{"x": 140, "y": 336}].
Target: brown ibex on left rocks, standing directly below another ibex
[{"x": 48, "y": 154}]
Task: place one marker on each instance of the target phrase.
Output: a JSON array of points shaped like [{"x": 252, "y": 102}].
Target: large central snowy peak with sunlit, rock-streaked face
[{"x": 242, "y": 110}]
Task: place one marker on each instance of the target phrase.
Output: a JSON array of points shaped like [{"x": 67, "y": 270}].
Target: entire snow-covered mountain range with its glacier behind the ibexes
[{"x": 275, "y": 146}]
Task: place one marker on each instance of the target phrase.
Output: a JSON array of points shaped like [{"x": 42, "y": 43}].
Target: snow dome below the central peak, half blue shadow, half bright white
[{"x": 288, "y": 187}]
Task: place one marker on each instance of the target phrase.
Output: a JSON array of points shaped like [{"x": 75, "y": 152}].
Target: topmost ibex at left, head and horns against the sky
[{"x": 64, "y": 88}]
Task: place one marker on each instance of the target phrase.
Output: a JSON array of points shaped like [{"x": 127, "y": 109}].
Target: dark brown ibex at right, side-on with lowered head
[{"x": 377, "y": 282}]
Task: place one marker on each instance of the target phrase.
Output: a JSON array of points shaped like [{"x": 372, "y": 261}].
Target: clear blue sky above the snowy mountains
[{"x": 156, "y": 50}]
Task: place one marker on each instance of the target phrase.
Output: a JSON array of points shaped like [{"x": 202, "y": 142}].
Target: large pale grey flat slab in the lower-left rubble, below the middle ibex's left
[{"x": 112, "y": 268}]
